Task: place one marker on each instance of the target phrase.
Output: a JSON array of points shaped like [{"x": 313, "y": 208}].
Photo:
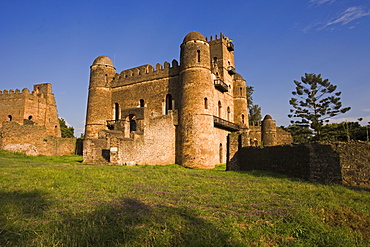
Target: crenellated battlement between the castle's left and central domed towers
[{"x": 146, "y": 72}]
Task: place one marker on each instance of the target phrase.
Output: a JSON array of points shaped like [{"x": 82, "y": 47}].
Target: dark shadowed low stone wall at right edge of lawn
[{"x": 347, "y": 163}]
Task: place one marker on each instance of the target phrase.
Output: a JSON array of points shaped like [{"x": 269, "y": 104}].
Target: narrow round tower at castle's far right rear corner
[{"x": 240, "y": 102}]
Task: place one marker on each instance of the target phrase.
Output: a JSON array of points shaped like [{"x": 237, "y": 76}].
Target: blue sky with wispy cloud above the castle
[{"x": 276, "y": 42}]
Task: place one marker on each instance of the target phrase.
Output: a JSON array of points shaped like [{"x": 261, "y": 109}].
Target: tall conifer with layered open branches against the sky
[{"x": 314, "y": 102}]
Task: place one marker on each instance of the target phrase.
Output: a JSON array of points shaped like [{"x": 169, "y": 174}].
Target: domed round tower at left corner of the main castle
[{"x": 99, "y": 106}]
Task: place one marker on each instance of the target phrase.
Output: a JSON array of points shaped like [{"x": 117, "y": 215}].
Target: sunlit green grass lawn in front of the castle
[{"x": 59, "y": 201}]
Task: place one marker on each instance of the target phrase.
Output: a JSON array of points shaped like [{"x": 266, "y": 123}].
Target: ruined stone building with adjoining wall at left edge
[{"x": 29, "y": 122}]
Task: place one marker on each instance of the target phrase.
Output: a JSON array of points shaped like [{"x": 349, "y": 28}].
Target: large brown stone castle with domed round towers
[{"x": 175, "y": 113}]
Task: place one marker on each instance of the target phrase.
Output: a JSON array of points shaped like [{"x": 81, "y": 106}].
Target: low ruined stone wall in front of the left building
[{"x": 33, "y": 140}]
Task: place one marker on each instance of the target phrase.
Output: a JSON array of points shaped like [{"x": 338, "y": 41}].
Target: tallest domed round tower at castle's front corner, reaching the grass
[{"x": 196, "y": 146}]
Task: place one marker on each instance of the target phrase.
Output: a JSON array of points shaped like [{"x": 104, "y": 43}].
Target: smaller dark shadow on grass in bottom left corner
[{"x": 16, "y": 209}]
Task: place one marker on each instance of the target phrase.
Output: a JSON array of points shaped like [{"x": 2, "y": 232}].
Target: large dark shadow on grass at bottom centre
[{"x": 130, "y": 222}]
